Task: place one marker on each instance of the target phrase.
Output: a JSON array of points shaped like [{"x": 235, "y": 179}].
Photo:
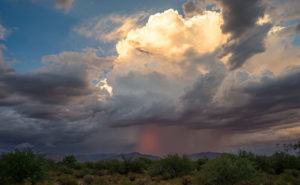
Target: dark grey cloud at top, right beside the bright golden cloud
[{"x": 247, "y": 38}]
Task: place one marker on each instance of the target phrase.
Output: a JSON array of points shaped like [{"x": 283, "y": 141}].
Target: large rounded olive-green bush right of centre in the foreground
[{"x": 228, "y": 169}]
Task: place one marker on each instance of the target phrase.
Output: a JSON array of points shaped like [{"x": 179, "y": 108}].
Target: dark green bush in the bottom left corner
[{"x": 22, "y": 164}]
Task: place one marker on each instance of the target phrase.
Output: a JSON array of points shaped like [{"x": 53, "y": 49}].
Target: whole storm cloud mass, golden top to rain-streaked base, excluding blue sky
[{"x": 166, "y": 80}]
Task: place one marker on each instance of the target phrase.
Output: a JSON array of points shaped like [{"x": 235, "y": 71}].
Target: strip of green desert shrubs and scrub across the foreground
[{"x": 245, "y": 168}]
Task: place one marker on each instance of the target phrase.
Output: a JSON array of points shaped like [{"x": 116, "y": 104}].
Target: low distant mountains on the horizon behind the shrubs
[{"x": 133, "y": 155}]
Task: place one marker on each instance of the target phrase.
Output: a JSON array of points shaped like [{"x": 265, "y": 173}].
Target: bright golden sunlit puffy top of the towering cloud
[{"x": 182, "y": 35}]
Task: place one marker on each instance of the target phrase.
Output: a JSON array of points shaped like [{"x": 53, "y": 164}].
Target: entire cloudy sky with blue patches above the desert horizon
[{"x": 156, "y": 77}]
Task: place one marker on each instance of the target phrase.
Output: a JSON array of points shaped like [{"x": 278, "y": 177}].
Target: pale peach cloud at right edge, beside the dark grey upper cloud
[{"x": 279, "y": 47}]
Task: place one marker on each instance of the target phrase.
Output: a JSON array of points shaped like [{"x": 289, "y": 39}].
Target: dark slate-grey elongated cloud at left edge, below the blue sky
[{"x": 47, "y": 87}]
